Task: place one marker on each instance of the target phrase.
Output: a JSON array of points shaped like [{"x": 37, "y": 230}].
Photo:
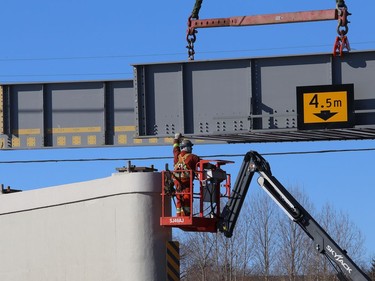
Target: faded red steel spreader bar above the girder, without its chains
[{"x": 292, "y": 17}]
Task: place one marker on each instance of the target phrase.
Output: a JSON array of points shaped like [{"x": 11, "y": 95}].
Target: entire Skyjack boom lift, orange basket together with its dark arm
[{"x": 210, "y": 217}]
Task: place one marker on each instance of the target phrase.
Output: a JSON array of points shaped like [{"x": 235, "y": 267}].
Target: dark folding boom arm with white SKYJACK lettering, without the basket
[{"x": 324, "y": 244}]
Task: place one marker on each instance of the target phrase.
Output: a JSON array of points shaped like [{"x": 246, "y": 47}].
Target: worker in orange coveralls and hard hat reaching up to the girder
[{"x": 184, "y": 161}]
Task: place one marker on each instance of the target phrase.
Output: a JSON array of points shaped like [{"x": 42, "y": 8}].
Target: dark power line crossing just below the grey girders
[{"x": 170, "y": 157}]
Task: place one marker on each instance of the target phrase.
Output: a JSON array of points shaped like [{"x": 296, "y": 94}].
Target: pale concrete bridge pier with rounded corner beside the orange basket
[{"x": 104, "y": 229}]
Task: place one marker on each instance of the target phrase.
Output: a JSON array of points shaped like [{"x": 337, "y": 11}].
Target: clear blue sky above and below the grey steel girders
[{"x": 81, "y": 40}]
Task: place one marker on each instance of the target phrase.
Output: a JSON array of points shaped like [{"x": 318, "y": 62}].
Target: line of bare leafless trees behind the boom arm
[{"x": 268, "y": 246}]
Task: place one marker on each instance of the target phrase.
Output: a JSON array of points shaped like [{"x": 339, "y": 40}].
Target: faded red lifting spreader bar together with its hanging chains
[{"x": 340, "y": 13}]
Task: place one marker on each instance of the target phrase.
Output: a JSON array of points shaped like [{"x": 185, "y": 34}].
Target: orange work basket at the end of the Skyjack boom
[{"x": 212, "y": 180}]
